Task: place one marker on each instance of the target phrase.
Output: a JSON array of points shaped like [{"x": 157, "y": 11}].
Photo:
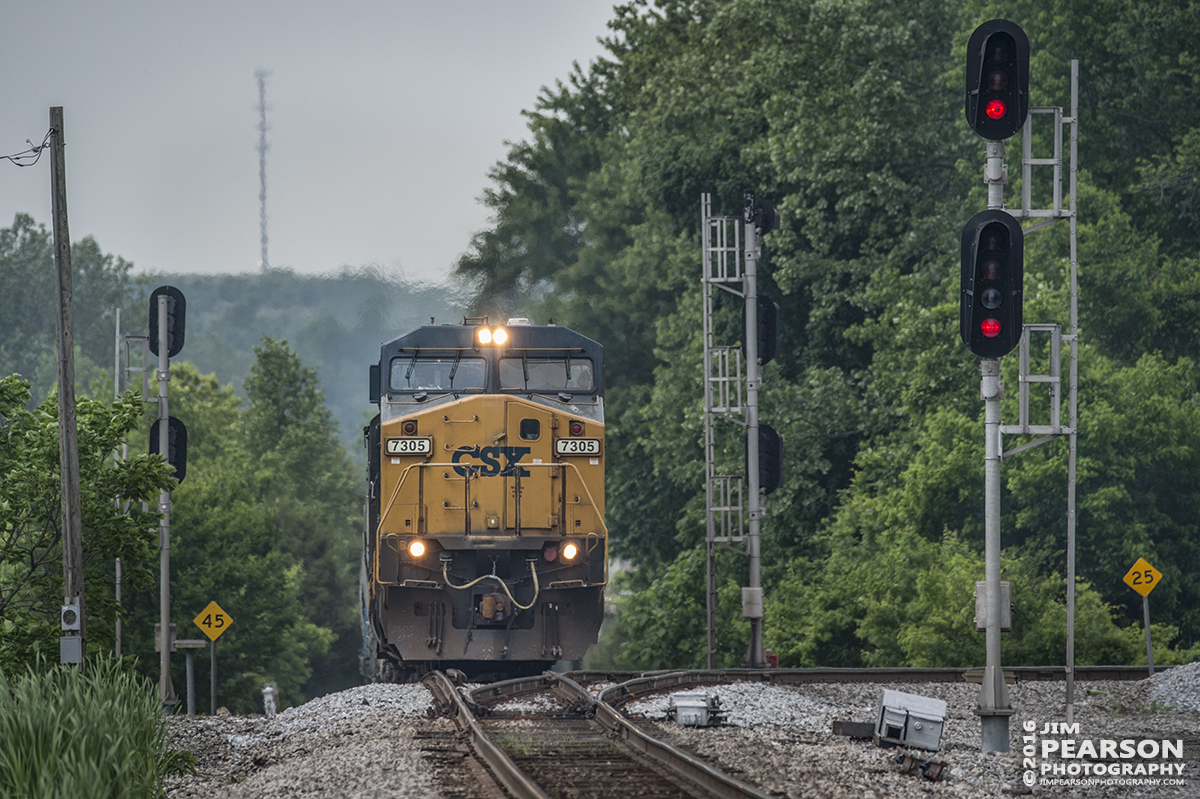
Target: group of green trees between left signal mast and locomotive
[{"x": 267, "y": 525}]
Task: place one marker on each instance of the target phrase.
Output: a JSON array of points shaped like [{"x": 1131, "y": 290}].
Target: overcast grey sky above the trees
[{"x": 385, "y": 119}]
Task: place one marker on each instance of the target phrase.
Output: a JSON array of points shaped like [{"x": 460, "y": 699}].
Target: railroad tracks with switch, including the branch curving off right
[{"x": 566, "y": 742}]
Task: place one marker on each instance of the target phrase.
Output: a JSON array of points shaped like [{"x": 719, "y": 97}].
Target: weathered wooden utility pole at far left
[{"x": 69, "y": 442}]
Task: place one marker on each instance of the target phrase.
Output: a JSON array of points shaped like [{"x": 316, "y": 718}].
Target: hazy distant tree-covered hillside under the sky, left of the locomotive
[{"x": 335, "y": 322}]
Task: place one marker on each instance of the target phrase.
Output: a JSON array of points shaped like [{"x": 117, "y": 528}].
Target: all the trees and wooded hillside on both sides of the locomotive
[{"x": 849, "y": 117}]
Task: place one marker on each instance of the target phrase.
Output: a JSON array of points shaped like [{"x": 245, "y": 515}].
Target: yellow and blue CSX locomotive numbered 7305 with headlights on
[{"x": 485, "y": 548}]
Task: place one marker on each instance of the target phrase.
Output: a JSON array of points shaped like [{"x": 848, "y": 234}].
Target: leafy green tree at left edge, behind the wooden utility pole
[{"x": 31, "y": 519}]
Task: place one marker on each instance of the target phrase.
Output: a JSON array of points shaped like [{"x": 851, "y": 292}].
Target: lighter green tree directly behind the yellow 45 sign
[{"x": 226, "y": 548}]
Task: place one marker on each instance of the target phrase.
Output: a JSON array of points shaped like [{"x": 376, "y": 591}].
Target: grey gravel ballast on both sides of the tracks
[{"x": 364, "y": 742}]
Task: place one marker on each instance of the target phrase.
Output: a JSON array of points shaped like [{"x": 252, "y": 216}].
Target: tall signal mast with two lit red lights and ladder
[{"x": 992, "y": 319}]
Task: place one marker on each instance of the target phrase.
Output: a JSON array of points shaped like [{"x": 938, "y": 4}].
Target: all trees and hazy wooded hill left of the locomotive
[{"x": 269, "y": 519}]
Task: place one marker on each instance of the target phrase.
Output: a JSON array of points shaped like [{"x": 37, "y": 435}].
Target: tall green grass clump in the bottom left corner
[{"x": 82, "y": 737}]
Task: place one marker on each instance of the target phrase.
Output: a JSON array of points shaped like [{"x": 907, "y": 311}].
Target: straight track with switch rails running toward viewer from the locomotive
[{"x": 565, "y": 743}]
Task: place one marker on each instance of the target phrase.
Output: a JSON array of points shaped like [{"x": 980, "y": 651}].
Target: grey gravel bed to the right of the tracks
[{"x": 781, "y": 738}]
